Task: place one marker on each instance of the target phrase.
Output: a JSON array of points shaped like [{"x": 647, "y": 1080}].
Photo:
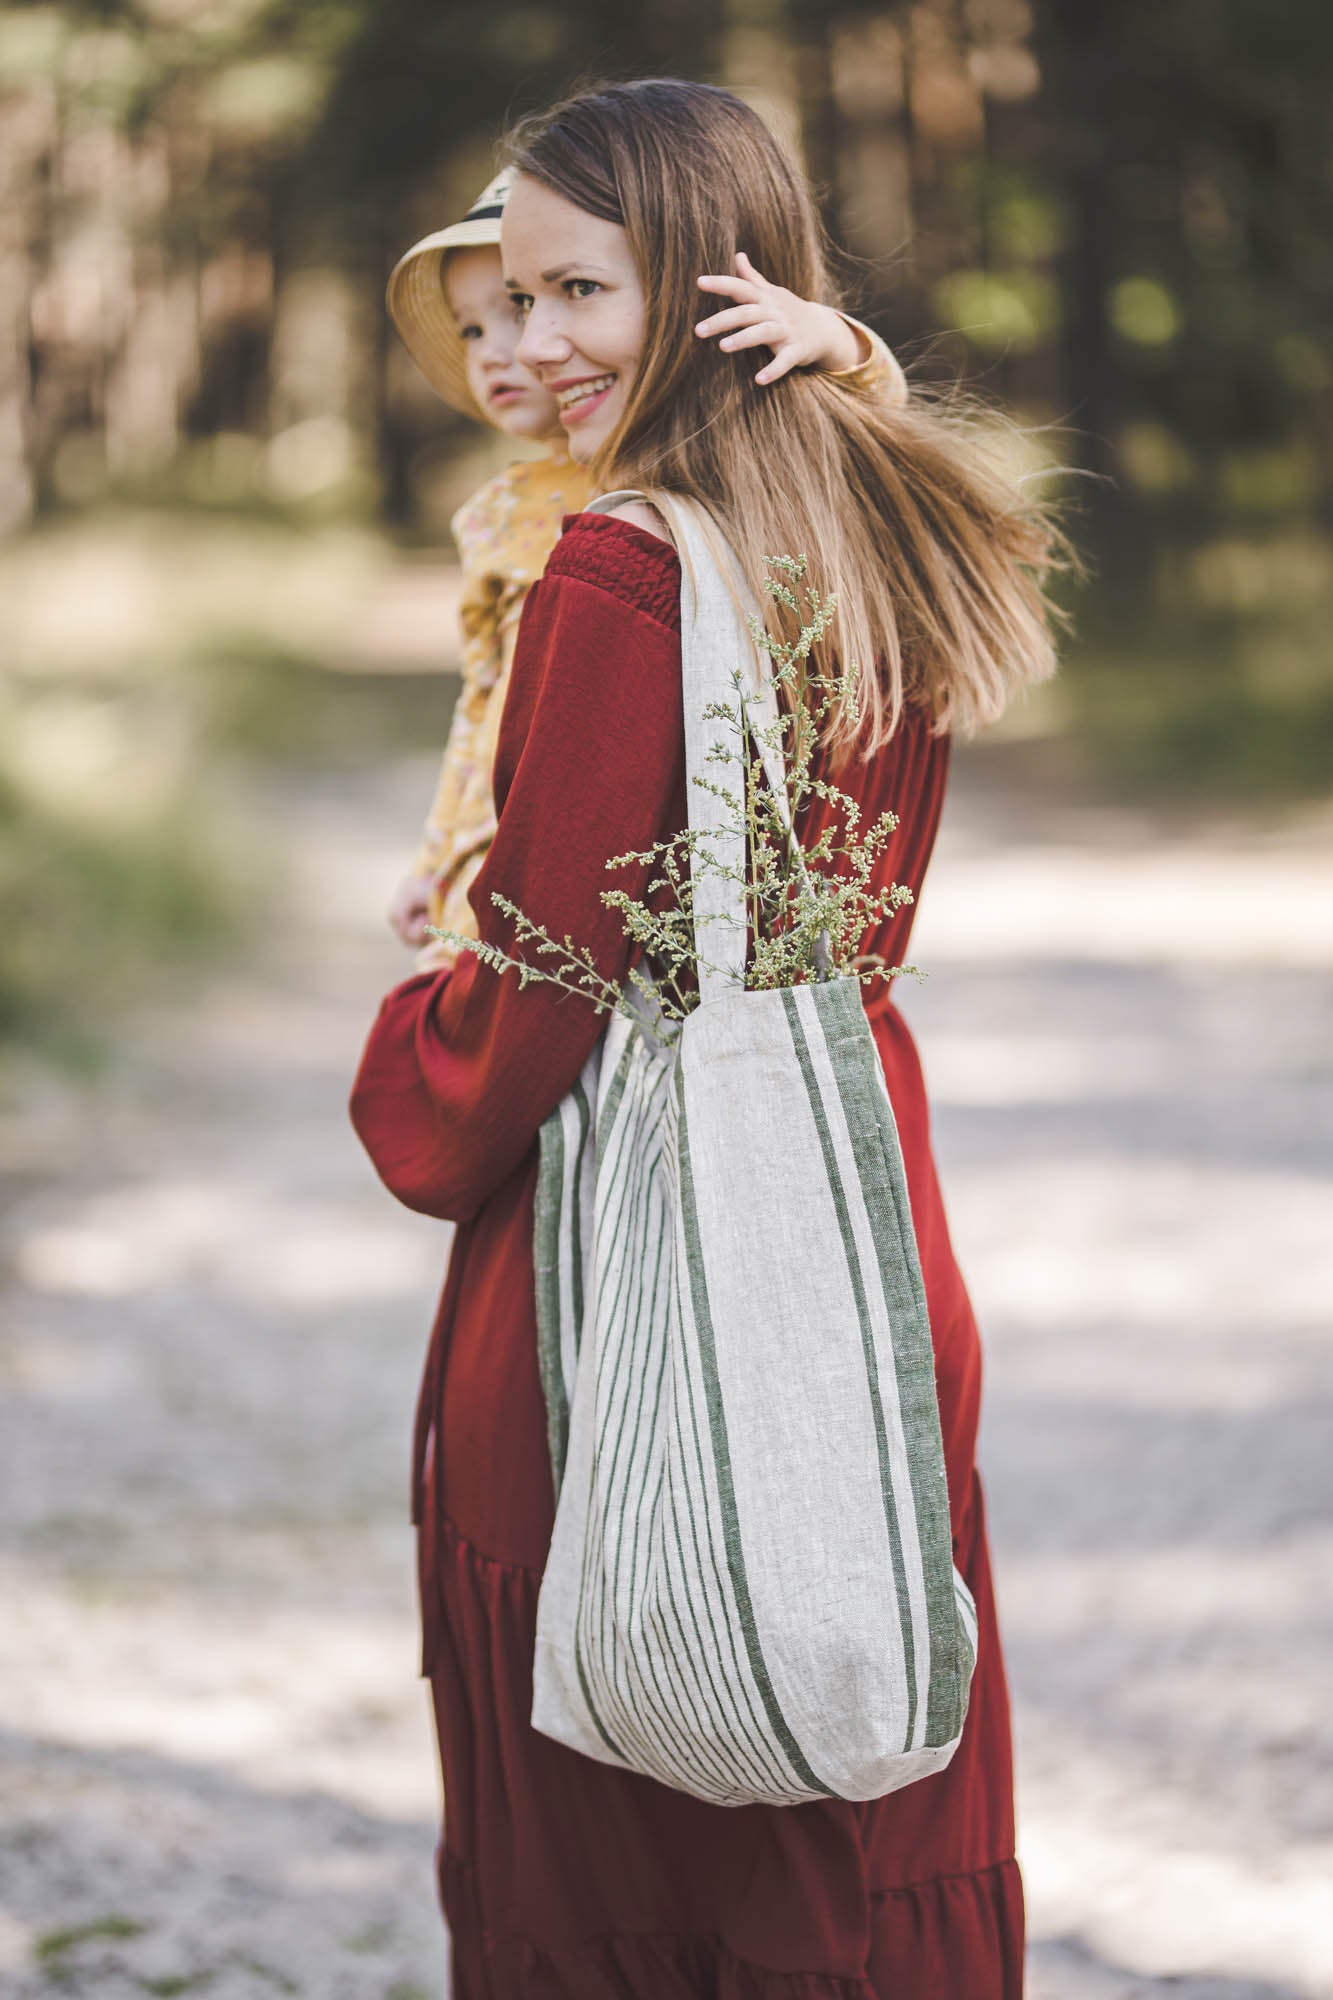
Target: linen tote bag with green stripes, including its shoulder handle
[{"x": 752, "y": 1591}]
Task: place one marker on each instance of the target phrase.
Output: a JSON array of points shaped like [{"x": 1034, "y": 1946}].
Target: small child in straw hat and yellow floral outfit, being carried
[{"x": 449, "y": 303}]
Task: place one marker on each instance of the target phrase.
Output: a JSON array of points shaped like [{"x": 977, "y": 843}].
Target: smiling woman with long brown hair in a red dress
[{"x": 563, "y": 1877}]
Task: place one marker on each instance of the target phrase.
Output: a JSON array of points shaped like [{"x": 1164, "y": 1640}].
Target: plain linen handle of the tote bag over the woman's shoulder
[{"x": 716, "y": 641}]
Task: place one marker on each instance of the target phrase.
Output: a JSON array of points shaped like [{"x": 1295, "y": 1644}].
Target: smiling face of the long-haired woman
[{"x": 575, "y": 285}]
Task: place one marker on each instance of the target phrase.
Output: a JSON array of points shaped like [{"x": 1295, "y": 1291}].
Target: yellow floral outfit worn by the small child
[{"x": 505, "y": 535}]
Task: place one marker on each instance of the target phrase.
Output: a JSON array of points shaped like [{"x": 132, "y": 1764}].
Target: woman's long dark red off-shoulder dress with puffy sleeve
[{"x": 563, "y": 1879}]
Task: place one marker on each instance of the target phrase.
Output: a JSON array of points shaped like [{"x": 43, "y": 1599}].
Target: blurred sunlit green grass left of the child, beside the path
[{"x": 159, "y": 673}]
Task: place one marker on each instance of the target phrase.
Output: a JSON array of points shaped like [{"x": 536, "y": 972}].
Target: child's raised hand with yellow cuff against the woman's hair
[{"x": 800, "y": 333}]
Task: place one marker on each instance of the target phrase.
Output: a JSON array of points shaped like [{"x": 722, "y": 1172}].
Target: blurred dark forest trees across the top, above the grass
[{"x": 1122, "y": 209}]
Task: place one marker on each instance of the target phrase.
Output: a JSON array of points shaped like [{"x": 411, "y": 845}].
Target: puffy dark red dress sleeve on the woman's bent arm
[{"x": 461, "y": 1067}]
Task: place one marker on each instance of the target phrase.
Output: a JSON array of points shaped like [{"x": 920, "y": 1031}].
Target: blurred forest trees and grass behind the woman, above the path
[{"x": 213, "y": 451}]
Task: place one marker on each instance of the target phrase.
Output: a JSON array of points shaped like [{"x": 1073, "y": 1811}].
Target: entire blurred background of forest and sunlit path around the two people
[{"x": 227, "y": 665}]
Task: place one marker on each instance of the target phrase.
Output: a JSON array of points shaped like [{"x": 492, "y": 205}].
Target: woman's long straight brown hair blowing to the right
[{"x": 936, "y": 551}]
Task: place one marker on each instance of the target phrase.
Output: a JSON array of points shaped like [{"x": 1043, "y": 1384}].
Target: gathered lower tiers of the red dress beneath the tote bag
[{"x": 563, "y": 1879}]
